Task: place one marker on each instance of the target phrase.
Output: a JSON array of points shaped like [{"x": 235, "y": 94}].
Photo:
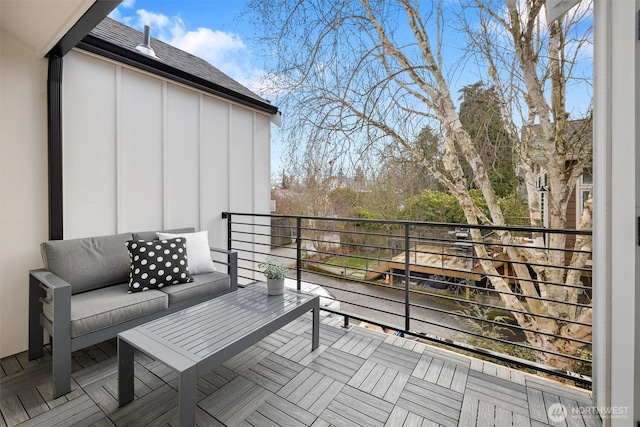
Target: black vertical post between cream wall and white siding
[{"x": 54, "y": 143}]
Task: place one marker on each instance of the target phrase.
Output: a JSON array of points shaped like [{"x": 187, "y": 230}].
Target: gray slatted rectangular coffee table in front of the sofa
[{"x": 196, "y": 340}]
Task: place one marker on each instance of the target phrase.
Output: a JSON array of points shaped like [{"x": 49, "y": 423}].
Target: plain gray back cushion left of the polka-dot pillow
[{"x": 88, "y": 263}]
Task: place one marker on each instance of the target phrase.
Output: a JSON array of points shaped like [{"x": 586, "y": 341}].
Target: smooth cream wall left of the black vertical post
[{"x": 23, "y": 184}]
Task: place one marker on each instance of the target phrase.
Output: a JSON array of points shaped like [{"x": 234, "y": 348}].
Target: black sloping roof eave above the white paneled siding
[{"x": 103, "y": 48}]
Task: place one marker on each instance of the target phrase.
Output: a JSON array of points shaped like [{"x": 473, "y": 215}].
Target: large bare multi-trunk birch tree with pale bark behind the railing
[{"x": 367, "y": 73}]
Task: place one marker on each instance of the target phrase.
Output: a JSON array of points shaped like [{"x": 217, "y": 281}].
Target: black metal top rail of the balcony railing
[{"x": 528, "y": 229}]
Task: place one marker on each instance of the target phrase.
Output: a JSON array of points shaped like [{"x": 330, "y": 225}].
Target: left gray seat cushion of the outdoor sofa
[{"x": 101, "y": 308}]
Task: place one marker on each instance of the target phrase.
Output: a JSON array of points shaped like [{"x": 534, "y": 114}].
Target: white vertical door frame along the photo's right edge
[{"x": 616, "y": 255}]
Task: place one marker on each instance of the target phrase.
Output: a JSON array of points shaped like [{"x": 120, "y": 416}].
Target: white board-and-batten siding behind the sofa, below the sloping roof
[{"x": 142, "y": 152}]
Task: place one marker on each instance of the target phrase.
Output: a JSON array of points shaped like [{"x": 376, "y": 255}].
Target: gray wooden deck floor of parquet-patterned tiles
[{"x": 357, "y": 377}]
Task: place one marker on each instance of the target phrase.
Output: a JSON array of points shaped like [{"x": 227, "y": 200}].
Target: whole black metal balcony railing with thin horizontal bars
[{"x": 491, "y": 291}]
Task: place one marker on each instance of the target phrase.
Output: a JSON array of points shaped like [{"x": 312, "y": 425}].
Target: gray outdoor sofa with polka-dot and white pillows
[{"x": 84, "y": 294}]
